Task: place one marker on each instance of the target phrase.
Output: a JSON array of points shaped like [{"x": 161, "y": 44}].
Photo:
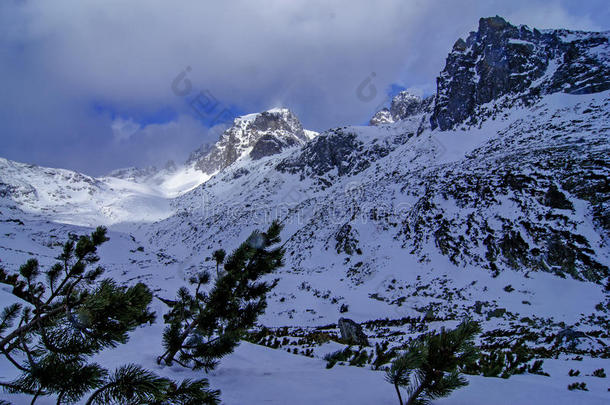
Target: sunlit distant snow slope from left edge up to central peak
[{"x": 136, "y": 195}]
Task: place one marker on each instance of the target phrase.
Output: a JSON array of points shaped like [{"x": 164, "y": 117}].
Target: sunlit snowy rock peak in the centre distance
[{"x": 255, "y": 135}]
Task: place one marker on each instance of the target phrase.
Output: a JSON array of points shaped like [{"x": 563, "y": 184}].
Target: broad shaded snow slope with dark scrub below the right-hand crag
[{"x": 364, "y": 205}]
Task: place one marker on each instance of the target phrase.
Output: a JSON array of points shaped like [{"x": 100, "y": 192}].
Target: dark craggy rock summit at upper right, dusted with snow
[{"x": 502, "y": 59}]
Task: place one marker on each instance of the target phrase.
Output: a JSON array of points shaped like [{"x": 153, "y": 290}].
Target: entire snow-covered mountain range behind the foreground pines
[{"x": 489, "y": 199}]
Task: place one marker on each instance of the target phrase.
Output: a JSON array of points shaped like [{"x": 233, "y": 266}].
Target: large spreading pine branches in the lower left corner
[{"x": 66, "y": 315}]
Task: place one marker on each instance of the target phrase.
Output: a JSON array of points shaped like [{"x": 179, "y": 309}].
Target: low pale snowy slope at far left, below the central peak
[{"x": 70, "y": 197}]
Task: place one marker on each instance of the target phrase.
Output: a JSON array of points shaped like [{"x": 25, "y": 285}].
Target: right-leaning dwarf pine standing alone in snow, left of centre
[{"x": 202, "y": 327}]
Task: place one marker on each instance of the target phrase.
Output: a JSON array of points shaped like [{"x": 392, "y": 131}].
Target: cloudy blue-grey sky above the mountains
[{"x": 88, "y": 85}]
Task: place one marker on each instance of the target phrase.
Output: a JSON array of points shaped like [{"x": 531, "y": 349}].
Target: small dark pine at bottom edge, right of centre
[{"x": 430, "y": 367}]
